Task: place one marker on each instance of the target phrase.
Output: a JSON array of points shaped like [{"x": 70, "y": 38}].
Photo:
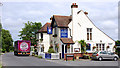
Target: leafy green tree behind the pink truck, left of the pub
[{"x": 29, "y": 31}]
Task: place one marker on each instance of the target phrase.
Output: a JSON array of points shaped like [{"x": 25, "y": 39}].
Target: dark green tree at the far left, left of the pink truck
[{"x": 7, "y": 41}]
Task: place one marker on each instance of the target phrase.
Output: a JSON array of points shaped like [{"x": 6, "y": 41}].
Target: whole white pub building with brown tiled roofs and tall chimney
[{"x": 66, "y": 31}]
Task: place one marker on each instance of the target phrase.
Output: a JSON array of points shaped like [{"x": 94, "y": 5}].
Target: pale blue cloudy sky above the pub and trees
[{"x": 104, "y": 14}]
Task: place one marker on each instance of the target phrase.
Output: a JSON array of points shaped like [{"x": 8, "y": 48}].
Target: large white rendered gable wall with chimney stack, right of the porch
[{"x": 79, "y": 25}]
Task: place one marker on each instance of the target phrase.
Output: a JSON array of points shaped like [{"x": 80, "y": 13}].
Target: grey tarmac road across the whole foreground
[{"x": 9, "y": 59}]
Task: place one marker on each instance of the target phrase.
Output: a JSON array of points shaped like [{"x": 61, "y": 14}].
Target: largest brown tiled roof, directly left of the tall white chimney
[{"x": 62, "y": 21}]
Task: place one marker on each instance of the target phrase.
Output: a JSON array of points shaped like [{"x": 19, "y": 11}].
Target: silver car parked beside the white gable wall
[{"x": 100, "y": 55}]
